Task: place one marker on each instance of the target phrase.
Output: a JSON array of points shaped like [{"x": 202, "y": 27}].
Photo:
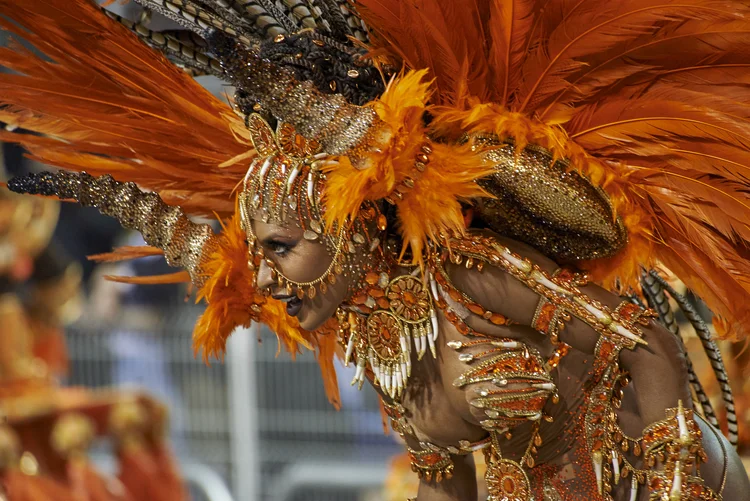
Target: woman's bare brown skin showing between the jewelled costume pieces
[{"x": 442, "y": 414}]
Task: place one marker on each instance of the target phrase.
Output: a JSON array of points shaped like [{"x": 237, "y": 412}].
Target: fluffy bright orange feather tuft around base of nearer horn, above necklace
[{"x": 432, "y": 205}]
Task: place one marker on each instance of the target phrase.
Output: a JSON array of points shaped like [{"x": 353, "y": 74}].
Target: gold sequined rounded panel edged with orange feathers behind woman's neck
[{"x": 548, "y": 204}]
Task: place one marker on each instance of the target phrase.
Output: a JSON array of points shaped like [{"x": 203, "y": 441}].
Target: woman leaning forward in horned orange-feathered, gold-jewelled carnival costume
[{"x": 434, "y": 236}]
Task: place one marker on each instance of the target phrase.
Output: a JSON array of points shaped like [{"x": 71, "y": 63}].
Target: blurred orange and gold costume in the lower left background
[{"x": 45, "y": 430}]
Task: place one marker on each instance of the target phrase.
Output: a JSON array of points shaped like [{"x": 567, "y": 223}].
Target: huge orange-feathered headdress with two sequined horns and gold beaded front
[{"x": 612, "y": 136}]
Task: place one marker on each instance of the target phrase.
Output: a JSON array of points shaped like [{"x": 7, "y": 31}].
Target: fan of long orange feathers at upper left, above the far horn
[{"x": 91, "y": 111}]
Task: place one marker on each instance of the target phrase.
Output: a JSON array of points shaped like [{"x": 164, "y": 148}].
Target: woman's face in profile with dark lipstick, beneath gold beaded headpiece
[{"x": 299, "y": 260}]
